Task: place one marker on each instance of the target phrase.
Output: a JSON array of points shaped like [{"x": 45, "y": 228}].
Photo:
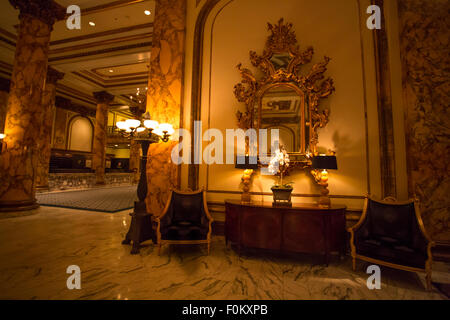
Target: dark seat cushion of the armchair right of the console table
[{"x": 391, "y": 250}]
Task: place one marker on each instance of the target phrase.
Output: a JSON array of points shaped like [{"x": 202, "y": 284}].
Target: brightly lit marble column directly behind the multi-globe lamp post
[{"x": 165, "y": 87}]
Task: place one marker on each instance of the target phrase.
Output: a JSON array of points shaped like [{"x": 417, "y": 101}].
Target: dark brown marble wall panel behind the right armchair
[{"x": 425, "y": 55}]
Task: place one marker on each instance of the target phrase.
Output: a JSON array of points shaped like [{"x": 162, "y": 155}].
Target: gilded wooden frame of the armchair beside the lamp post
[{"x": 160, "y": 241}]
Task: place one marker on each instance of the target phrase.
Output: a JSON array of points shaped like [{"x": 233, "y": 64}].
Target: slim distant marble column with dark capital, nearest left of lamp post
[{"x": 100, "y": 134}]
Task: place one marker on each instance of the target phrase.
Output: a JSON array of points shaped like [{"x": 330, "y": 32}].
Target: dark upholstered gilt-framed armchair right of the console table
[{"x": 391, "y": 233}]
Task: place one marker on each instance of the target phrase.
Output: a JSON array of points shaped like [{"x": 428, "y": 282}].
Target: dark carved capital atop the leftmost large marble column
[{"x": 47, "y": 11}]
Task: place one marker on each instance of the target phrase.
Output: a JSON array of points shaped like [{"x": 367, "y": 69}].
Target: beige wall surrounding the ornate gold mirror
[{"x": 333, "y": 28}]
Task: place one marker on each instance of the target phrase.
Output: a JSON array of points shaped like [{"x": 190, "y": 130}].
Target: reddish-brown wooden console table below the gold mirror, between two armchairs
[{"x": 305, "y": 228}]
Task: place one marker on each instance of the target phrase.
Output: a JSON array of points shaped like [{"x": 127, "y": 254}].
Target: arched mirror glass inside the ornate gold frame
[{"x": 282, "y": 108}]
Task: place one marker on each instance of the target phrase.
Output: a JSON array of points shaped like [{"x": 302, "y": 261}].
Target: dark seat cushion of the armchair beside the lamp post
[{"x": 184, "y": 230}]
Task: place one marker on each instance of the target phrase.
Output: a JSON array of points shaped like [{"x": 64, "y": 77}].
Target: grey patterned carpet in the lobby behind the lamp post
[{"x": 110, "y": 200}]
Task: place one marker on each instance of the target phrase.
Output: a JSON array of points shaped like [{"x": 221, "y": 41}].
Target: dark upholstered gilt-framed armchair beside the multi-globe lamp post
[{"x": 185, "y": 220}]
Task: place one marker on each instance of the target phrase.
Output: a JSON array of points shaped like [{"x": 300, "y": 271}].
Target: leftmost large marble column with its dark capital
[{"x": 24, "y": 114}]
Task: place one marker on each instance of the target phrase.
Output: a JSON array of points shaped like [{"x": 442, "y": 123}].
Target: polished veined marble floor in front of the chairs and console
[{"x": 35, "y": 251}]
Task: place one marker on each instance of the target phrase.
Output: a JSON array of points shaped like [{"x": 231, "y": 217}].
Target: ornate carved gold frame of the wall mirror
[{"x": 313, "y": 85}]
